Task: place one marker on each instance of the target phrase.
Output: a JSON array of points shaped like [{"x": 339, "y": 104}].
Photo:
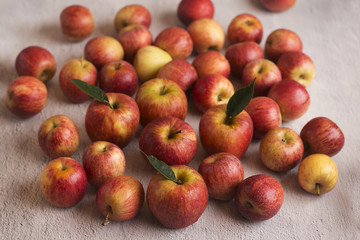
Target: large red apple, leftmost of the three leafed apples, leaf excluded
[{"x": 117, "y": 125}]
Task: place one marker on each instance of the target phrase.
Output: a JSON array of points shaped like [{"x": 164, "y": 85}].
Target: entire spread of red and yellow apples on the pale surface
[{"x": 158, "y": 73}]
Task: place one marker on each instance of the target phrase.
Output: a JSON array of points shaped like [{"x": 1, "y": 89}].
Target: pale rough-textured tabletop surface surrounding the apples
[{"x": 331, "y": 37}]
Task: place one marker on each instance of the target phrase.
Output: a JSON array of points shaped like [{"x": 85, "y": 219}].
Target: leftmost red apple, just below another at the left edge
[{"x": 26, "y": 96}]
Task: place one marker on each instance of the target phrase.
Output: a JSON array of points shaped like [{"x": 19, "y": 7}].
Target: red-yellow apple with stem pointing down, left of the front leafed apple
[{"x": 120, "y": 198}]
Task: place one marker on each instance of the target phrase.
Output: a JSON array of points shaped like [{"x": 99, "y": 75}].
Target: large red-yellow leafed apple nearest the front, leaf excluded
[{"x": 163, "y": 196}]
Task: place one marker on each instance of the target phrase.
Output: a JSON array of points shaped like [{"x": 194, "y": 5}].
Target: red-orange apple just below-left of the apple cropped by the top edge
[{"x": 245, "y": 27}]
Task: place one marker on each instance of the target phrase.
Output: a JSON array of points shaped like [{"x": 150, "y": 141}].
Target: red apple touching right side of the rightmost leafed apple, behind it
[{"x": 265, "y": 114}]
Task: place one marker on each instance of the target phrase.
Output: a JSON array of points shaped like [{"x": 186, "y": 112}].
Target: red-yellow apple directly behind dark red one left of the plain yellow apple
[{"x": 103, "y": 49}]
